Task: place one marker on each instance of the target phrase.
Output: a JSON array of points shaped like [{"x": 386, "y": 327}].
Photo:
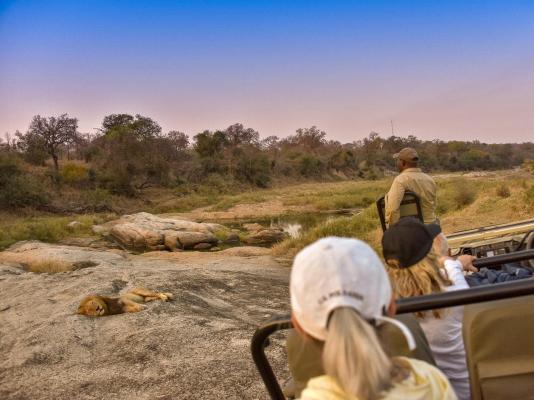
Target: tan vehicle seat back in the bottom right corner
[{"x": 498, "y": 338}]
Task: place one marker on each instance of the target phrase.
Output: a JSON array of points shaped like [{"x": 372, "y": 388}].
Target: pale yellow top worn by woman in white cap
[{"x": 424, "y": 382}]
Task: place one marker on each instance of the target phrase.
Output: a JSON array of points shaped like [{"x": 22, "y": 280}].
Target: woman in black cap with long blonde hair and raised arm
[{"x": 415, "y": 269}]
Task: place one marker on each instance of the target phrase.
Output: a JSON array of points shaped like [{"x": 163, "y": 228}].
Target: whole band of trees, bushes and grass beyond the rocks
[{"x": 130, "y": 165}]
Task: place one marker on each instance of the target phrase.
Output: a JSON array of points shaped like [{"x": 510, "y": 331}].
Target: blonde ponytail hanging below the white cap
[{"x": 354, "y": 357}]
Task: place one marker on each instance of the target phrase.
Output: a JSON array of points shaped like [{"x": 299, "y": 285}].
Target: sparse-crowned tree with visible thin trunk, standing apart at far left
[{"x": 54, "y": 132}]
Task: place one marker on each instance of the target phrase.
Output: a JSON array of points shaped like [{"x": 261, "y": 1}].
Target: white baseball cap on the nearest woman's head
[{"x": 340, "y": 272}]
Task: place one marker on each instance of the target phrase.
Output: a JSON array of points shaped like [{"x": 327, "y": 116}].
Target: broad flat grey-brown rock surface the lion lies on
[{"x": 195, "y": 347}]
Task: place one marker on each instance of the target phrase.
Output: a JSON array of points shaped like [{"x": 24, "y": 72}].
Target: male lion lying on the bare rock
[{"x": 99, "y": 306}]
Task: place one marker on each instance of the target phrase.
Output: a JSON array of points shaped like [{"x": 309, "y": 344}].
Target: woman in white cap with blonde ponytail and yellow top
[{"x": 340, "y": 293}]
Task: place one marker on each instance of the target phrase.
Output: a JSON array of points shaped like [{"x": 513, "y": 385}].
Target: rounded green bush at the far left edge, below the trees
[{"x": 17, "y": 188}]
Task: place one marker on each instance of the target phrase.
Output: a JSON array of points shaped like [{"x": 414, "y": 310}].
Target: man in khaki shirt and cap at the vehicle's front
[{"x": 411, "y": 178}]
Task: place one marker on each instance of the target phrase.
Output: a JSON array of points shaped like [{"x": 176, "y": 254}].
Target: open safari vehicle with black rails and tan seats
[{"x": 498, "y": 319}]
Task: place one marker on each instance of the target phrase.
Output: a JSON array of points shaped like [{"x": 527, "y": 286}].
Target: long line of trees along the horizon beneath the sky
[{"x": 131, "y": 152}]
